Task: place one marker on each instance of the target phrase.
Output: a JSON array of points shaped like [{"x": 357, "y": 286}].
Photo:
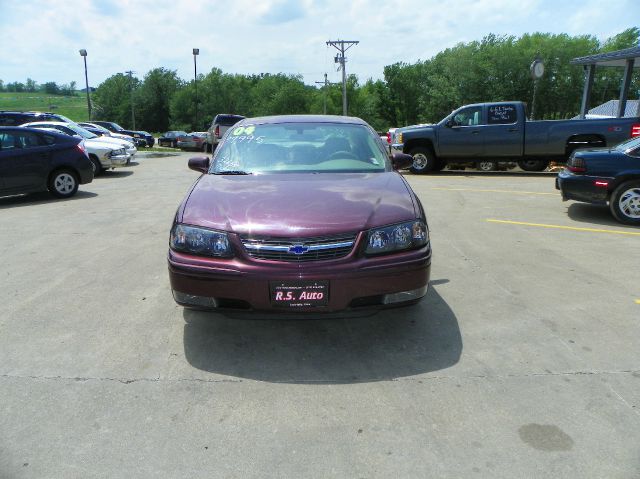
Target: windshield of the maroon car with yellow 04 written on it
[{"x": 299, "y": 147}]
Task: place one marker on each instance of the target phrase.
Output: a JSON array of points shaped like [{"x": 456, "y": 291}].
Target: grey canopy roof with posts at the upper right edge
[{"x": 622, "y": 58}]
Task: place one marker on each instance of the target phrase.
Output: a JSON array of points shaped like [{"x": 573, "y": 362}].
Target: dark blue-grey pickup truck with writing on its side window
[{"x": 491, "y": 133}]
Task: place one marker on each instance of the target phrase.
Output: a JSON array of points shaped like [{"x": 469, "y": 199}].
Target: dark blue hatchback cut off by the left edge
[{"x": 32, "y": 160}]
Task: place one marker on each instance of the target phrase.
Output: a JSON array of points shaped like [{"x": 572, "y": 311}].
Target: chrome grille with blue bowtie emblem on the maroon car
[{"x": 298, "y": 250}]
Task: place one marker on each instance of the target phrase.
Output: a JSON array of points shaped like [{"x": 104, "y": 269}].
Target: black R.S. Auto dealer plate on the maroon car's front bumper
[{"x": 299, "y": 294}]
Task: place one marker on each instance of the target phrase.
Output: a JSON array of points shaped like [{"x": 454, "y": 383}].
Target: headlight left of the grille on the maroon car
[{"x": 200, "y": 241}]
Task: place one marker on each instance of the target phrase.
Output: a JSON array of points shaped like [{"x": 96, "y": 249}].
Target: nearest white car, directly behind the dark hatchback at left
[{"x": 105, "y": 153}]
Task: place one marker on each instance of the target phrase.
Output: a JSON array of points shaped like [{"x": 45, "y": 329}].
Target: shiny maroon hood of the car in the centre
[{"x": 299, "y": 205}]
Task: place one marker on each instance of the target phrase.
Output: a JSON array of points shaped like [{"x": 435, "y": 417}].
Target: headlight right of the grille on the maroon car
[{"x": 413, "y": 234}]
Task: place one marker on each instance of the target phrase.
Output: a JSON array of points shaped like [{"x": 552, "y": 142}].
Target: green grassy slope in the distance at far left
[{"x": 74, "y": 107}]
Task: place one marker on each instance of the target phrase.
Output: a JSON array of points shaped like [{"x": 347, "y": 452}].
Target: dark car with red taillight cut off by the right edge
[{"x": 605, "y": 175}]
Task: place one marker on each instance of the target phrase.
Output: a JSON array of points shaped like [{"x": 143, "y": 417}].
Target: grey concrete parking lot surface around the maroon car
[{"x": 522, "y": 361}]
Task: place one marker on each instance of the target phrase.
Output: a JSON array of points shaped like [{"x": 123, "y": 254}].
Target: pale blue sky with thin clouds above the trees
[{"x": 41, "y": 39}]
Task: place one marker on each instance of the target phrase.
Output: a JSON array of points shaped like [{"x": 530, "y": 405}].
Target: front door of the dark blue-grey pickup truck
[{"x": 462, "y": 134}]
